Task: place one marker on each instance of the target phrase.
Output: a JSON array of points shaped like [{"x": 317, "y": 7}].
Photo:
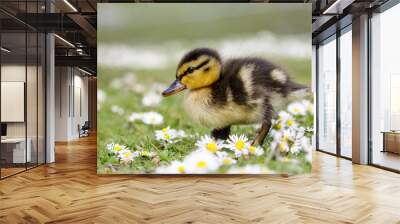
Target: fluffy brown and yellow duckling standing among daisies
[{"x": 237, "y": 91}]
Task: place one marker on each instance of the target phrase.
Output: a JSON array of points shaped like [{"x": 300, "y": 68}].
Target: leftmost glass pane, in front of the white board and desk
[{"x": 14, "y": 153}]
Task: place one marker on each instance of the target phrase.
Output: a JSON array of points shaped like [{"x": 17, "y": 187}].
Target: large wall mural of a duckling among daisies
[{"x": 204, "y": 89}]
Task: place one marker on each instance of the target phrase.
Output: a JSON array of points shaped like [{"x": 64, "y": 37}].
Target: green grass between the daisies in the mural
[{"x": 139, "y": 136}]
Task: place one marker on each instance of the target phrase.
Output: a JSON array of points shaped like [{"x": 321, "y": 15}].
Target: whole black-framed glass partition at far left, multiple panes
[{"x": 22, "y": 101}]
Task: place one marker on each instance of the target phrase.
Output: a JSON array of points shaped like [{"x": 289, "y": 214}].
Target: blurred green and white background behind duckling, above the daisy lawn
[{"x": 280, "y": 33}]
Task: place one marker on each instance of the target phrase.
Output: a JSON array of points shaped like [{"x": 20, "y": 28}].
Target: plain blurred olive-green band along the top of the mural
[{"x": 187, "y": 22}]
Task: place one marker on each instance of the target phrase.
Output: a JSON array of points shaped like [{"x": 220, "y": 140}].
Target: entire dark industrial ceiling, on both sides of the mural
[{"x": 75, "y": 21}]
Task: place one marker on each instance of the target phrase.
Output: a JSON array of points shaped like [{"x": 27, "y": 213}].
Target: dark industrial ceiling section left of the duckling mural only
[{"x": 74, "y": 22}]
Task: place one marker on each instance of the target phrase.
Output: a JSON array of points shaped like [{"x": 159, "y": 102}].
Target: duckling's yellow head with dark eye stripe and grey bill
[{"x": 198, "y": 68}]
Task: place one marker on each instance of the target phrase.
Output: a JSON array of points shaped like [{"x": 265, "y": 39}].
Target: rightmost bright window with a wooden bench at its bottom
[{"x": 385, "y": 89}]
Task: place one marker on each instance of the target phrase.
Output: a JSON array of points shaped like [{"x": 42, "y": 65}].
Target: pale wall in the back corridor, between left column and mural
[{"x": 70, "y": 83}]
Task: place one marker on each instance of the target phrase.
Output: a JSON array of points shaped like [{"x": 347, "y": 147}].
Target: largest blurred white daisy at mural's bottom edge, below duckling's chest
[{"x": 201, "y": 161}]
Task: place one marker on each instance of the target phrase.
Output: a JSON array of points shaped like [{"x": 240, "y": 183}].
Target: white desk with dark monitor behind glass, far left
[{"x": 17, "y": 150}]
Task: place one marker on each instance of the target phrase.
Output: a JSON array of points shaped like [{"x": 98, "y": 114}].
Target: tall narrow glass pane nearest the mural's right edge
[{"x": 327, "y": 96}]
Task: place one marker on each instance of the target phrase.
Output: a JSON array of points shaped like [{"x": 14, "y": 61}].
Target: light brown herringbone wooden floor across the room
[{"x": 70, "y": 191}]
